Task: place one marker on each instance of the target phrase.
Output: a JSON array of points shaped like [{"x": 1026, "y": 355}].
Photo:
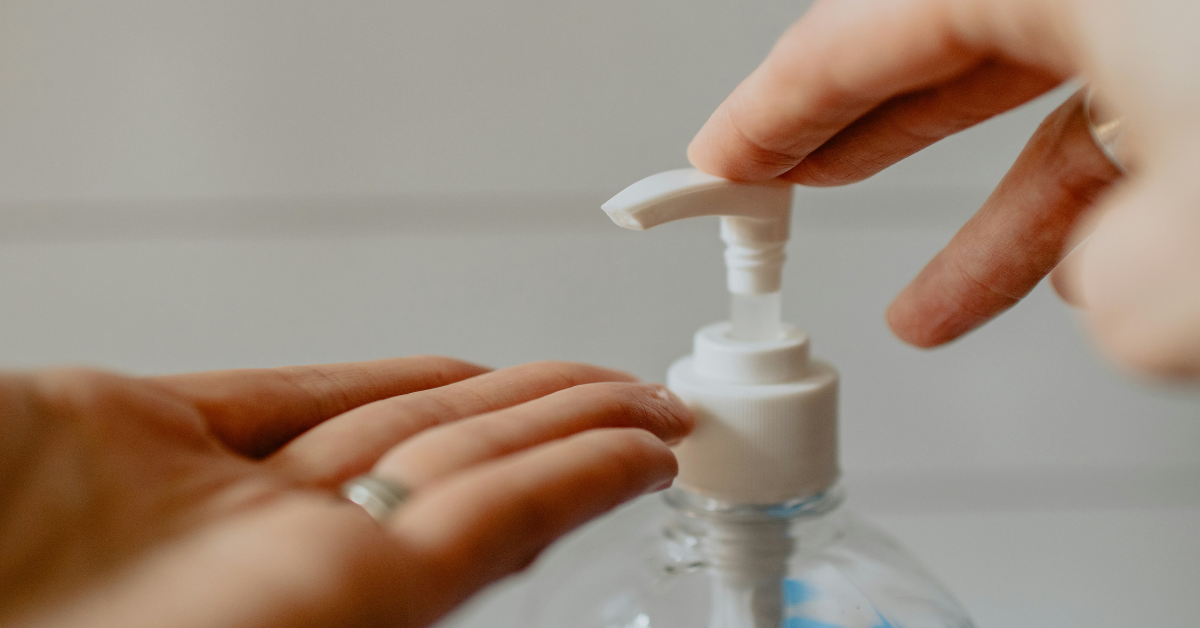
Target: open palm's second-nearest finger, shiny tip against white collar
[{"x": 442, "y": 451}]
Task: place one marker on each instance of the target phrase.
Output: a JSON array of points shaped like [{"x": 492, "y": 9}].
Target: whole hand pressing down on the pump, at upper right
[{"x": 857, "y": 86}]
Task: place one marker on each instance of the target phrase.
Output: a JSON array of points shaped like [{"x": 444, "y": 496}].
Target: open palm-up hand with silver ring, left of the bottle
[{"x": 211, "y": 500}]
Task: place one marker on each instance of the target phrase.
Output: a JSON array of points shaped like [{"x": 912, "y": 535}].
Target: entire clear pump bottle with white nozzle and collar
[{"x": 753, "y": 534}]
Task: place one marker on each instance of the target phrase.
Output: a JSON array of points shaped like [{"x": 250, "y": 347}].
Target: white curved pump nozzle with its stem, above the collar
[{"x": 755, "y": 220}]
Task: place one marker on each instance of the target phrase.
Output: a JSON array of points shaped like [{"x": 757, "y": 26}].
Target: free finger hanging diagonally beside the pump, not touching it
[{"x": 1015, "y": 241}]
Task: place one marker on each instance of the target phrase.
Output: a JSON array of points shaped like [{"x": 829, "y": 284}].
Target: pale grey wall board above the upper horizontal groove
[{"x": 169, "y": 99}]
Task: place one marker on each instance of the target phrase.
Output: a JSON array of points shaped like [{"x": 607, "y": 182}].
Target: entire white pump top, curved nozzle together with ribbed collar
[{"x": 766, "y": 415}]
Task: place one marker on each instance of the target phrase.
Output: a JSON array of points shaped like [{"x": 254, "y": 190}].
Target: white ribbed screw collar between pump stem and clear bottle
[{"x": 766, "y": 418}]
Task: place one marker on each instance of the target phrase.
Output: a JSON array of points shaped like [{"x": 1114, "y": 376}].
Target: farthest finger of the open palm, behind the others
[{"x": 255, "y": 411}]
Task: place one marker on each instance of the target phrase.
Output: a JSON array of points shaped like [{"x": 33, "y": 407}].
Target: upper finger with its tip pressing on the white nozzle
[{"x": 847, "y": 58}]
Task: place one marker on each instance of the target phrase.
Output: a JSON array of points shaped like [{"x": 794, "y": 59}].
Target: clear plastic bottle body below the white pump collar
[{"x": 681, "y": 561}]
